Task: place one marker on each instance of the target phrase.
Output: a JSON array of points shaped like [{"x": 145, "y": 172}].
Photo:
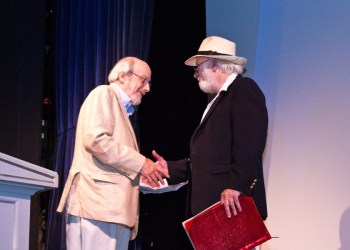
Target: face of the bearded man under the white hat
[{"x": 204, "y": 76}]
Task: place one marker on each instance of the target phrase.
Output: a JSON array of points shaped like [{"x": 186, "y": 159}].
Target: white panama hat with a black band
[{"x": 217, "y": 47}]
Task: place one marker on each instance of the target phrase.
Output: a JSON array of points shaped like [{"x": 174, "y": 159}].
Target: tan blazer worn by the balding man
[{"x": 103, "y": 182}]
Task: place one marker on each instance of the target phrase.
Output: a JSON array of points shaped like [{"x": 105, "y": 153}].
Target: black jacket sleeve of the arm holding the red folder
[{"x": 249, "y": 130}]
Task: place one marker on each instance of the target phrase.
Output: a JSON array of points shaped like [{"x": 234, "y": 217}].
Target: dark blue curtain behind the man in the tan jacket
[{"x": 91, "y": 35}]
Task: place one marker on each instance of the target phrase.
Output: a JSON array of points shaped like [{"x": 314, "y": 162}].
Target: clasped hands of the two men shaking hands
[{"x": 153, "y": 172}]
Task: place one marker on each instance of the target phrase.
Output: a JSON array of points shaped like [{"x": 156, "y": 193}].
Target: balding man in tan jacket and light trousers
[{"x": 102, "y": 190}]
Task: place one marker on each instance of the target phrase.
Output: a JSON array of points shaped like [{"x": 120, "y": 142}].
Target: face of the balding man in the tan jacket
[{"x": 137, "y": 83}]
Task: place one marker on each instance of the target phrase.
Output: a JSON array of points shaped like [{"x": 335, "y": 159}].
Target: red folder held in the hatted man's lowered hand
[{"x": 211, "y": 229}]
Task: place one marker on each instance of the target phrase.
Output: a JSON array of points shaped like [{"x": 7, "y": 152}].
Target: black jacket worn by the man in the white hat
[{"x": 226, "y": 148}]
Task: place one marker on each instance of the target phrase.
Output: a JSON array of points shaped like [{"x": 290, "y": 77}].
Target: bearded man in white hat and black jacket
[{"x": 227, "y": 146}]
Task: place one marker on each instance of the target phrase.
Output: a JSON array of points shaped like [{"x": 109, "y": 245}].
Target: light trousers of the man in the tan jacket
[{"x": 85, "y": 234}]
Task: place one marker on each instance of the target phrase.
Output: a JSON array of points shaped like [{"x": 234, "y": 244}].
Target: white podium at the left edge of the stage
[{"x": 19, "y": 180}]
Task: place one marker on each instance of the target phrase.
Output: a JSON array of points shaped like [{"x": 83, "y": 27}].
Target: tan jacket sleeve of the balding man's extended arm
[{"x": 106, "y": 135}]
